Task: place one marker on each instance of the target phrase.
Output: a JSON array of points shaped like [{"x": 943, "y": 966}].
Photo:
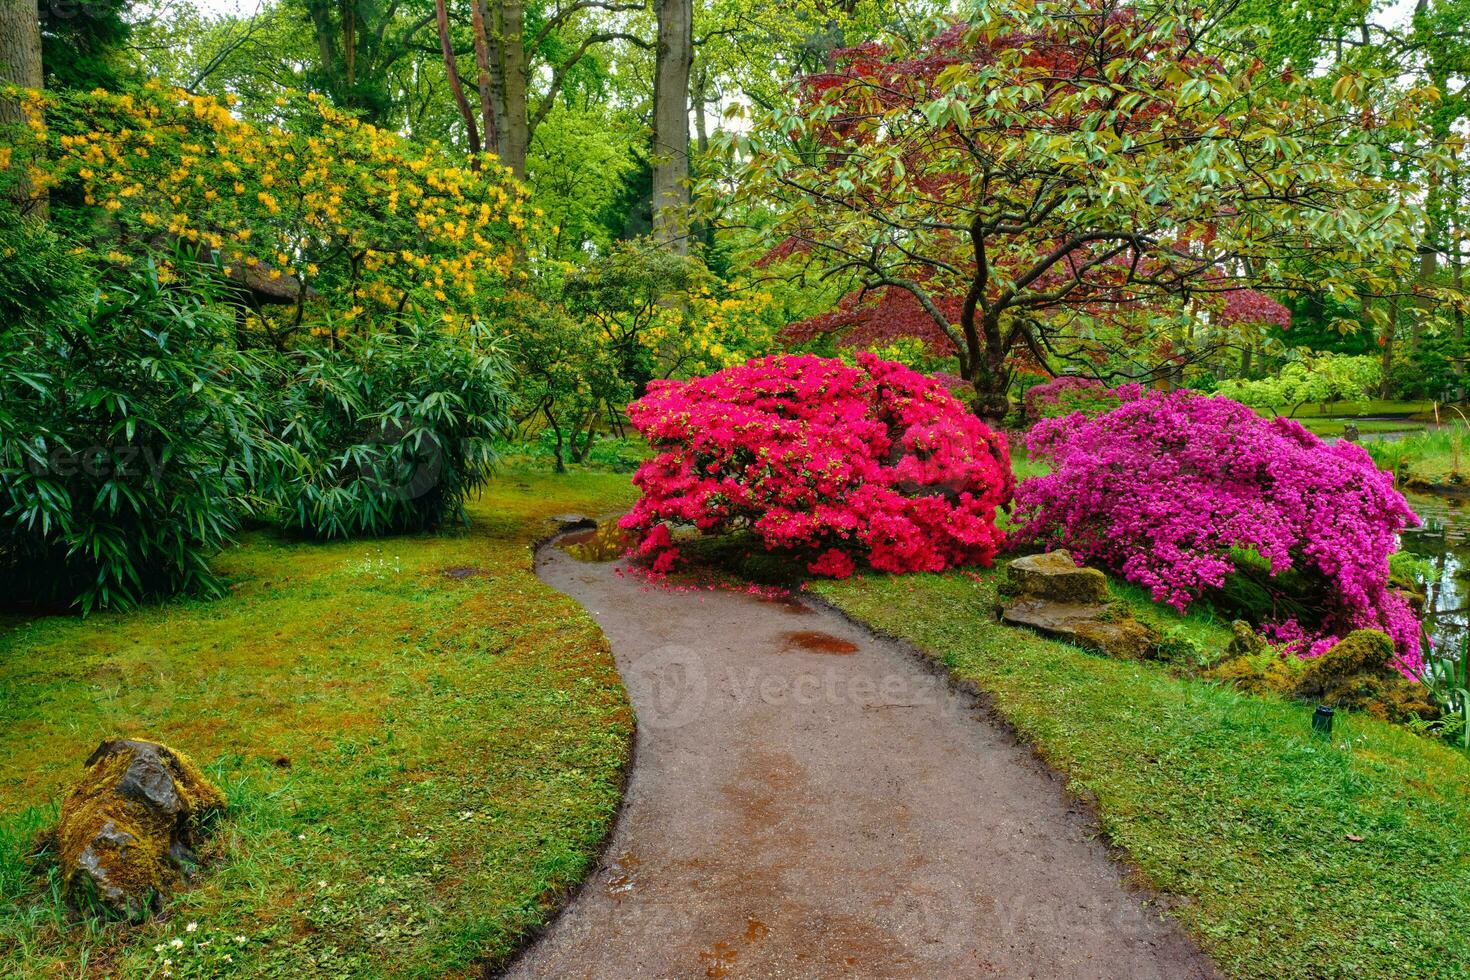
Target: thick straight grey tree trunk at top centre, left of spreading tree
[{"x": 671, "y": 126}]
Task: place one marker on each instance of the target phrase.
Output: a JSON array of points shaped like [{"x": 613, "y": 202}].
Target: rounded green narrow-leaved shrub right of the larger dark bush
[{"x": 387, "y": 434}]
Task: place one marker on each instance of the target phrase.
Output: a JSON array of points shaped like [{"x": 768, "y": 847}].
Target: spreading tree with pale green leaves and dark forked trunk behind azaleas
[{"x": 1053, "y": 177}]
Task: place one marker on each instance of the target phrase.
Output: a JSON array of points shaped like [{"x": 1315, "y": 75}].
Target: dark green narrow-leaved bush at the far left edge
[{"x": 126, "y": 443}]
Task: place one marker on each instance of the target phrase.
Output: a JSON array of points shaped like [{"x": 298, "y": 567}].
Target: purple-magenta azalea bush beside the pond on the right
[{"x": 1180, "y": 491}]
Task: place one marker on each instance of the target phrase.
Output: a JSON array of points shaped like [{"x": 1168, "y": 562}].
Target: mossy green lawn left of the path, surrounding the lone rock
[{"x": 418, "y": 763}]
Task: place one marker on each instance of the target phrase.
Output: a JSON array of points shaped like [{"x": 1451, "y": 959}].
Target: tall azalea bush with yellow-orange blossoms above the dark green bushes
[{"x": 336, "y": 223}]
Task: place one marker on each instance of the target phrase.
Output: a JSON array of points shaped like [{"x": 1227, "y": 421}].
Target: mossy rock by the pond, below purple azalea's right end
[{"x": 1359, "y": 674}]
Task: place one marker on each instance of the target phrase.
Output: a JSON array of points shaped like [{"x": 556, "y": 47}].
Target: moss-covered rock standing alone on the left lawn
[{"x": 129, "y": 829}]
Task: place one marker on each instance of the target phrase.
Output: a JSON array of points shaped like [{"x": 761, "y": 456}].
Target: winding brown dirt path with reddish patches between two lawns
[{"x": 809, "y": 801}]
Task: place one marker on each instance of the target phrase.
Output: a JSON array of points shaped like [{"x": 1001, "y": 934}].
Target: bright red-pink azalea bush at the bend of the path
[{"x": 825, "y": 461}]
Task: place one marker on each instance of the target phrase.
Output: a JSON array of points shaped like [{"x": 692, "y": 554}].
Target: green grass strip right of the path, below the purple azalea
[{"x": 1288, "y": 856}]
